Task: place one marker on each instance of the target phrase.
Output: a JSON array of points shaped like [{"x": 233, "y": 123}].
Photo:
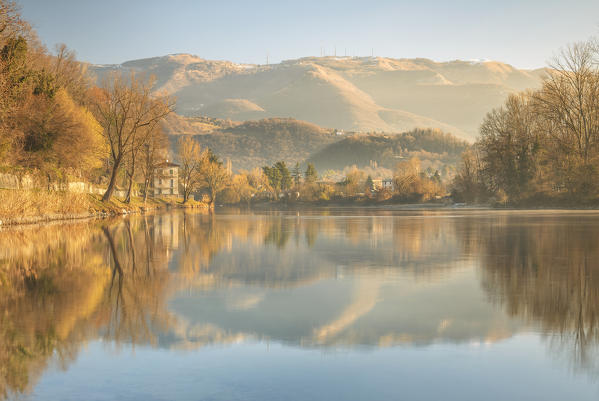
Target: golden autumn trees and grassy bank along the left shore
[{"x": 61, "y": 128}]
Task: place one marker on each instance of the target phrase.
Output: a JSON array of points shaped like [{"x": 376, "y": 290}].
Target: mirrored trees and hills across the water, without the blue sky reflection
[{"x": 185, "y": 280}]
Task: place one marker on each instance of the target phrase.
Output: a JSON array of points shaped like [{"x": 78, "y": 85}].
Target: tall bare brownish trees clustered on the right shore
[{"x": 541, "y": 147}]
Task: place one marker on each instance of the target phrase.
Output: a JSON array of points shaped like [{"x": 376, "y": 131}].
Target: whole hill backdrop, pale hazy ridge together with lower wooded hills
[{"x": 332, "y": 97}]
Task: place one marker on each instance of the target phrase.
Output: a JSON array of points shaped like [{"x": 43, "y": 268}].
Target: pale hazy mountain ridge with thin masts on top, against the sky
[{"x": 351, "y": 93}]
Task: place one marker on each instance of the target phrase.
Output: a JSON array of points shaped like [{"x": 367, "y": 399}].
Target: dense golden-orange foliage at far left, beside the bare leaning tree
[{"x": 45, "y": 127}]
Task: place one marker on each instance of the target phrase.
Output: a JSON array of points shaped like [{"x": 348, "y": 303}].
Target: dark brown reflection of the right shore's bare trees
[{"x": 548, "y": 273}]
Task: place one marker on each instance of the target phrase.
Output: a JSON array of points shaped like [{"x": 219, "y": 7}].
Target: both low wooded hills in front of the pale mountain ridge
[{"x": 262, "y": 142}]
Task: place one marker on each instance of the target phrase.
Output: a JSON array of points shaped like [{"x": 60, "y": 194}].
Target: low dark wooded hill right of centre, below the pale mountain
[{"x": 435, "y": 148}]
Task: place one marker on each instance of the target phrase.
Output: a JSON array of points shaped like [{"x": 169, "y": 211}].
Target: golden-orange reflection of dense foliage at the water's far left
[{"x": 51, "y": 287}]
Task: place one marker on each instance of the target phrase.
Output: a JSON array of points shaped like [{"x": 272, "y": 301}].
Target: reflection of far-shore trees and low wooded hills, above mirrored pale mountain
[{"x": 282, "y": 251}]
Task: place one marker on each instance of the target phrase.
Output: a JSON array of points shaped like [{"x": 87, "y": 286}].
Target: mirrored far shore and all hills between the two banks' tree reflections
[{"x": 362, "y": 280}]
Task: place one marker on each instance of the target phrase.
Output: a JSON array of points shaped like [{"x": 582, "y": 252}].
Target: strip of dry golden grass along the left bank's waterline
[{"x": 35, "y": 206}]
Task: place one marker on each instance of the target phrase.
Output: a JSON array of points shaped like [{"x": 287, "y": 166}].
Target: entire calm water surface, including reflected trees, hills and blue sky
[{"x": 311, "y": 305}]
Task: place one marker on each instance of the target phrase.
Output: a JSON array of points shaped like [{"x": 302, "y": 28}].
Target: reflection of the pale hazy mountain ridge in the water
[{"x": 349, "y": 311}]
